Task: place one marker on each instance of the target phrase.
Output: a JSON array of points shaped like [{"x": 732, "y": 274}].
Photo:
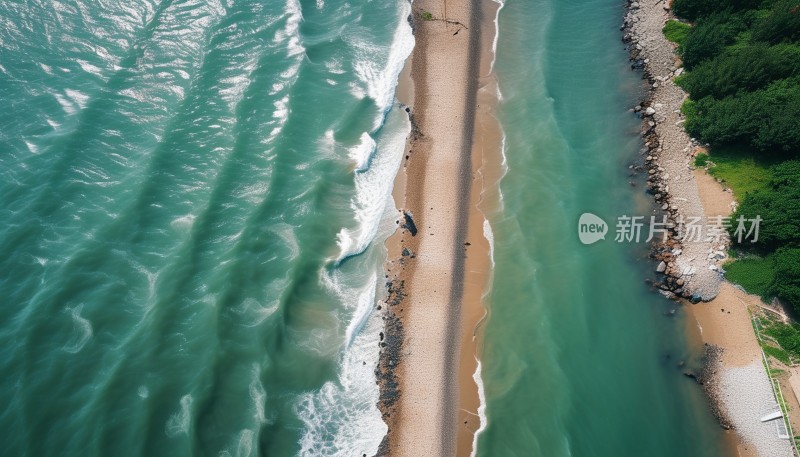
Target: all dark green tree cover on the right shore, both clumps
[{"x": 743, "y": 78}]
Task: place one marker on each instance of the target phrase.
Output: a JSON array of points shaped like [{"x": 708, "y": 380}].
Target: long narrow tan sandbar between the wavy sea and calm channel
[{"x": 437, "y": 276}]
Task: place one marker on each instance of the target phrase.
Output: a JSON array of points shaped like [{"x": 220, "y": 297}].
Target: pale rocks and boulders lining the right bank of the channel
[{"x": 688, "y": 270}]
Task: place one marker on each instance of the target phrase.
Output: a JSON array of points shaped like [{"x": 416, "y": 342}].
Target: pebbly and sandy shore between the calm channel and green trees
[{"x": 734, "y": 379}]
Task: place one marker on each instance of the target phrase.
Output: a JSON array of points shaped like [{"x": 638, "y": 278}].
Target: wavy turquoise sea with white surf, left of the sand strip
[{"x": 189, "y": 191}]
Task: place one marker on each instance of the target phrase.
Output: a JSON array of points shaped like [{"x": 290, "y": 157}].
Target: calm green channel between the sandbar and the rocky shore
[{"x": 579, "y": 358}]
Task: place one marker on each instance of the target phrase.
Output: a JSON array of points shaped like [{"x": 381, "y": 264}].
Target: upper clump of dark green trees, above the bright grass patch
[{"x": 745, "y": 73}]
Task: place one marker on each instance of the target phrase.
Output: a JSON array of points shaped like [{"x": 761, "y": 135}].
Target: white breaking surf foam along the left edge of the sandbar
[{"x": 341, "y": 418}]
